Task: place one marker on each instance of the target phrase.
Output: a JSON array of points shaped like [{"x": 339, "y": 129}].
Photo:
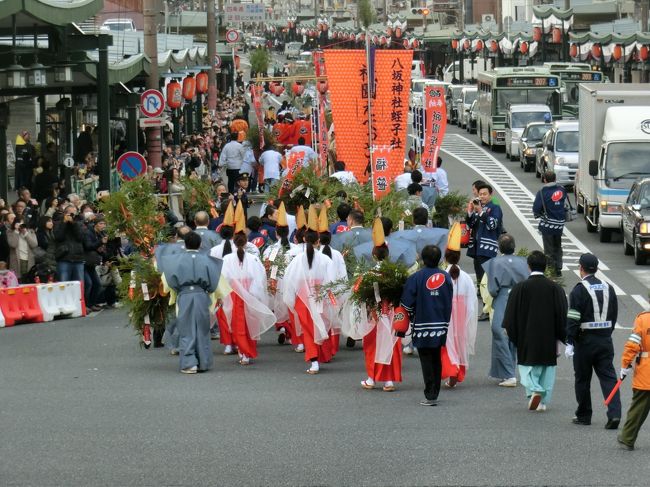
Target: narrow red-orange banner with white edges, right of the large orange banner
[{"x": 434, "y": 127}]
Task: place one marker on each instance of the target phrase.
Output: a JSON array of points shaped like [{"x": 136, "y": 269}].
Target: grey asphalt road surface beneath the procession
[{"x": 82, "y": 404}]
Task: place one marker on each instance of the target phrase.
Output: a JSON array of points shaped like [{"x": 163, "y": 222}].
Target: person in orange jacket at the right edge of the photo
[{"x": 637, "y": 351}]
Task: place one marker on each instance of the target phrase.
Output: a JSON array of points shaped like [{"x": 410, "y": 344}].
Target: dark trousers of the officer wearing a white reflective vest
[{"x": 595, "y": 354}]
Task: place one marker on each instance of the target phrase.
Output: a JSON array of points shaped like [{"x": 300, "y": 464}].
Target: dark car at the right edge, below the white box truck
[{"x": 635, "y": 221}]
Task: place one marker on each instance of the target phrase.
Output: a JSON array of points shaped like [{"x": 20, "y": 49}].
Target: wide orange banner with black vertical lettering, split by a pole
[{"x": 347, "y": 75}]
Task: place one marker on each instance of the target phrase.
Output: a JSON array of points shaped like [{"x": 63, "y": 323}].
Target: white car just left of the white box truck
[{"x": 559, "y": 152}]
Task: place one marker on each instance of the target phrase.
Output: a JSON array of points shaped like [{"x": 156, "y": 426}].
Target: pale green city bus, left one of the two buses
[{"x": 502, "y": 87}]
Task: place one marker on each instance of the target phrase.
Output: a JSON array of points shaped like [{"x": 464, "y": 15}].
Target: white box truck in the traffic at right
[{"x": 614, "y": 149}]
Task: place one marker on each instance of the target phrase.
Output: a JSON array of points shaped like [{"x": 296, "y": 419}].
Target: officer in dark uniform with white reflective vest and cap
[{"x": 593, "y": 310}]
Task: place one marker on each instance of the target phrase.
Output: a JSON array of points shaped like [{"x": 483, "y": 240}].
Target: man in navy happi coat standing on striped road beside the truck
[{"x": 549, "y": 207}]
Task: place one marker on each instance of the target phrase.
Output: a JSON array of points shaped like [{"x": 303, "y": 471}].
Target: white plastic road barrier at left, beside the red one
[{"x": 61, "y": 299}]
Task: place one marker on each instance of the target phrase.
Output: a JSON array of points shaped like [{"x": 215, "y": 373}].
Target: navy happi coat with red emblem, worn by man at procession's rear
[{"x": 427, "y": 296}]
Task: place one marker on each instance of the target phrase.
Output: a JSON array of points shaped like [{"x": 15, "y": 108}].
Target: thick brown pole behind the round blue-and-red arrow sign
[{"x": 154, "y": 148}]
